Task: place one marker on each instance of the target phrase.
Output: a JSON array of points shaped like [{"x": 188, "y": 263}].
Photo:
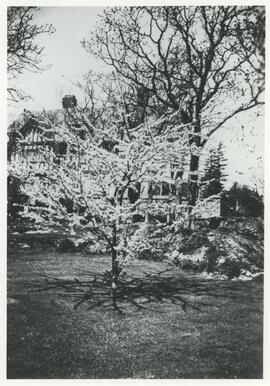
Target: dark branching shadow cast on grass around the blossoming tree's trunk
[{"x": 138, "y": 293}]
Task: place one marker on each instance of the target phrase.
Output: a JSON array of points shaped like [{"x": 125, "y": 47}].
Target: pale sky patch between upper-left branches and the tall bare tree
[{"x": 63, "y": 53}]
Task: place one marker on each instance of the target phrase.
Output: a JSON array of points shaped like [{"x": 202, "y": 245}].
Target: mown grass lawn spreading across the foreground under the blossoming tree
[{"x": 170, "y": 324}]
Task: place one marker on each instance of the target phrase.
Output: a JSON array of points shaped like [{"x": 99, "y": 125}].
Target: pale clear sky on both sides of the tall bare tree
[{"x": 67, "y": 61}]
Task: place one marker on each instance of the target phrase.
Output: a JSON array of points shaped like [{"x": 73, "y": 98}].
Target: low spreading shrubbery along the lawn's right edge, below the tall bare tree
[{"x": 226, "y": 252}]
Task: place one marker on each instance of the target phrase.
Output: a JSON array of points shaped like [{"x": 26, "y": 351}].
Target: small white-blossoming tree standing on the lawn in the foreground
[{"x": 98, "y": 171}]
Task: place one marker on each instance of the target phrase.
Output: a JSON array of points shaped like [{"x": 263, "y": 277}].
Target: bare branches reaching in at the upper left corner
[{"x": 23, "y": 53}]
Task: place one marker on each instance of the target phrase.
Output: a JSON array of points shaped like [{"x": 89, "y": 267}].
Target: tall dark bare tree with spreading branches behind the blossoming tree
[{"x": 200, "y": 61}]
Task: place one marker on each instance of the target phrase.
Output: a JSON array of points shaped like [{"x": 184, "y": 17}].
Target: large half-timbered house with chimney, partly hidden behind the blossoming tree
[{"x": 39, "y": 130}]
